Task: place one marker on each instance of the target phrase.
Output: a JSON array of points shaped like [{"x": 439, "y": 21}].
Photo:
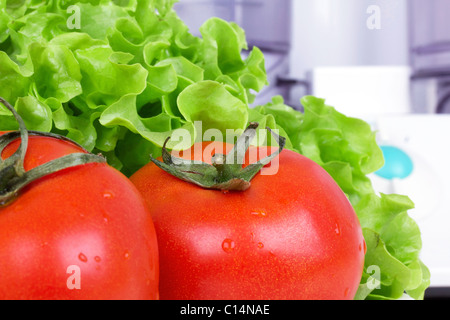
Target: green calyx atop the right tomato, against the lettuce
[{"x": 226, "y": 172}]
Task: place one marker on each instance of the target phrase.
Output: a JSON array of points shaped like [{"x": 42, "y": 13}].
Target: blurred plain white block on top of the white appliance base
[{"x": 363, "y": 91}]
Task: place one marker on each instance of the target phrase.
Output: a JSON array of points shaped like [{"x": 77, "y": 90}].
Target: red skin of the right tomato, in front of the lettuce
[{"x": 292, "y": 235}]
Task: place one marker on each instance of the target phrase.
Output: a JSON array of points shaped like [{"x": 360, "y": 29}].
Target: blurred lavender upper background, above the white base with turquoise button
[{"x": 393, "y": 46}]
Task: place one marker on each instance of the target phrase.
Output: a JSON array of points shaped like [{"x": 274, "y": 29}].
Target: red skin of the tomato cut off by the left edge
[{"x": 88, "y": 217}]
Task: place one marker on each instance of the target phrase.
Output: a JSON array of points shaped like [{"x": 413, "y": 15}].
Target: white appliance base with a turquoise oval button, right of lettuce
[{"x": 425, "y": 139}]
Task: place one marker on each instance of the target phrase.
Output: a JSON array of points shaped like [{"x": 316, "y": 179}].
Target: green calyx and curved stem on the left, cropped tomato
[{"x": 13, "y": 176}]
